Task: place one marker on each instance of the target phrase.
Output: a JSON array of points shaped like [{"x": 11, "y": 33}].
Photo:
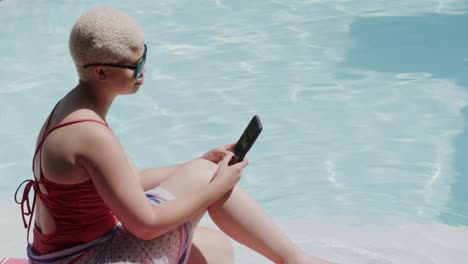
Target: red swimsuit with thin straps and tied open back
[{"x": 79, "y": 212}]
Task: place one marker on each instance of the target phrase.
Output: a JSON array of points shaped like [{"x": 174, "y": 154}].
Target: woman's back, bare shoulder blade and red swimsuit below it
[{"x": 69, "y": 210}]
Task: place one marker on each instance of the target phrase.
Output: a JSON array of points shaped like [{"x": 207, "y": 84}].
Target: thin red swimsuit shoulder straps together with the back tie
[{"x": 27, "y": 208}]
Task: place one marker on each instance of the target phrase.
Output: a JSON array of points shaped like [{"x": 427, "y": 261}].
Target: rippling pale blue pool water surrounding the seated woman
[{"x": 364, "y": 107}]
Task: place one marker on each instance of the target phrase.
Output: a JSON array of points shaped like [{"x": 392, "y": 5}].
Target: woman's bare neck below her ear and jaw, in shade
[{"x": 96, "y": 97}]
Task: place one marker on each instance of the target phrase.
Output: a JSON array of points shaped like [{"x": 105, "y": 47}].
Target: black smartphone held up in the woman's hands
[{"x": 247, "y": 140}]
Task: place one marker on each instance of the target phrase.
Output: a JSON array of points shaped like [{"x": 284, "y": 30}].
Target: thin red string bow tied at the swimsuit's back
[{"x": 27, "y": 209}]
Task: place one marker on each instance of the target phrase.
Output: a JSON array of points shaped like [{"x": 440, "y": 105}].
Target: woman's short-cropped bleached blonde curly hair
[{"x": 103, "y": 35}]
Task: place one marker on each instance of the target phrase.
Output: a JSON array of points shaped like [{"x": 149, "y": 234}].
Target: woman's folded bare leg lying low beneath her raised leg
[{"x": 211, "y": 246}]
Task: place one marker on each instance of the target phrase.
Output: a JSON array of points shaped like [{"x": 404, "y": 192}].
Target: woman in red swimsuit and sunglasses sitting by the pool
[{"x": 95, "y": 206}]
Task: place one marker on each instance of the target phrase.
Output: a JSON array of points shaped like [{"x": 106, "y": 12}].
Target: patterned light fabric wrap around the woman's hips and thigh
[{"x": 120, "y": 246}]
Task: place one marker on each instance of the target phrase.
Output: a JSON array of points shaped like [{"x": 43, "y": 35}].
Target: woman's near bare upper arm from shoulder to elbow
[{"x": 114, "y": 177}]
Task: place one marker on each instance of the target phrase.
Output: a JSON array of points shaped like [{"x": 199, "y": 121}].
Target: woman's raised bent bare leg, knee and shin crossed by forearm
[{"x": 238, "y": 215}]
